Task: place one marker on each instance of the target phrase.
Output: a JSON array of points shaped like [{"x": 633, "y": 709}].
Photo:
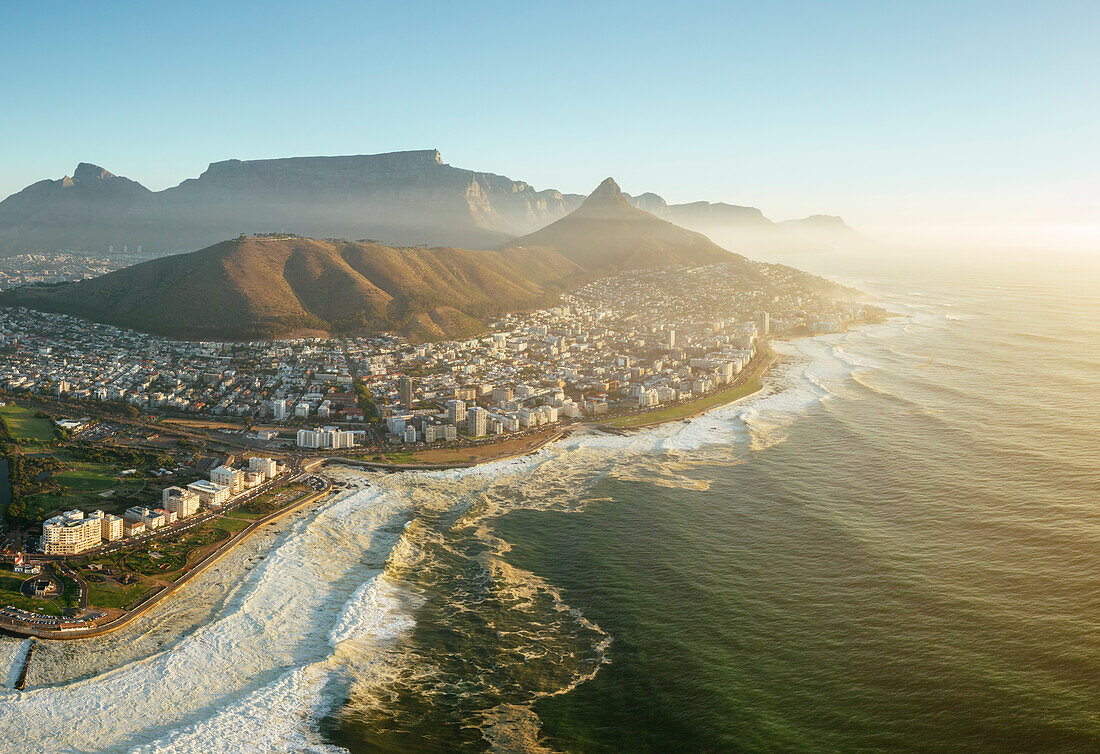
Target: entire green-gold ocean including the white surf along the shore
[{"x": 895, "y": 547}]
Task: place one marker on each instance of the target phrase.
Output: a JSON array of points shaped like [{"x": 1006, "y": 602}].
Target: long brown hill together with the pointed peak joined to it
[{"x": 269, "y": 288}]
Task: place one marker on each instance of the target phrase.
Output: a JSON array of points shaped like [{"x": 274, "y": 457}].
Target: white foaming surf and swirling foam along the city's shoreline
[{"x": 328, "y": 614}]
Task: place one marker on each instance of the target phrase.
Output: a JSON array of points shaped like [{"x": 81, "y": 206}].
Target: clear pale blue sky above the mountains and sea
[{"x": 898, "y": 116}]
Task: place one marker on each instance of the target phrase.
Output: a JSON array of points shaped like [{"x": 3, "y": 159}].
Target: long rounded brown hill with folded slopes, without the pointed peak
[{"x": 260, "y": 288}]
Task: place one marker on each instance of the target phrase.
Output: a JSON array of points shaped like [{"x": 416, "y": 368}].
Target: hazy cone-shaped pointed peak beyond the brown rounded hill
[{"x": 608, "y": 234}]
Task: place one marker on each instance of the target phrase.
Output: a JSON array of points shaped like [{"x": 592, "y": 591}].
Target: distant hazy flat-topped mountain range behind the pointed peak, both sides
[{"x": 401, "y": 199}]
